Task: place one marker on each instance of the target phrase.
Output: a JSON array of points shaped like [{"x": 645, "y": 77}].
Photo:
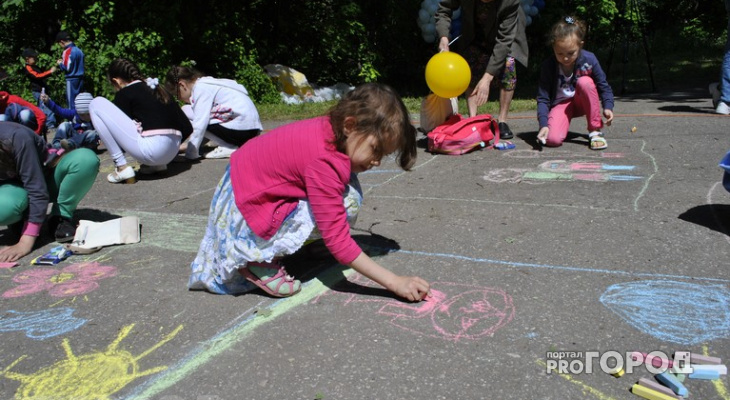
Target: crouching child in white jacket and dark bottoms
[{"x": 219, "y": 109}]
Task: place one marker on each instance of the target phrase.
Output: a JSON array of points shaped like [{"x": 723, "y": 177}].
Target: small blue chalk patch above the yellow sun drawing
[{"x": 41, "y": 324}]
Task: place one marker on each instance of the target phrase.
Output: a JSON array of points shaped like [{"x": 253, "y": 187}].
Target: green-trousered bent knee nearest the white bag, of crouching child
[{"x": 72, "y": 178}]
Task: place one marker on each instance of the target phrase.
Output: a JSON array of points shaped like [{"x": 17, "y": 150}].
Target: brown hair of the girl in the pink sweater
[{"x": 378, "y": 111}]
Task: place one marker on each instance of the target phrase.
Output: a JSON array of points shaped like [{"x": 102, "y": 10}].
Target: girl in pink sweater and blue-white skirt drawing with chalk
[{"x": 298, "y": 183}]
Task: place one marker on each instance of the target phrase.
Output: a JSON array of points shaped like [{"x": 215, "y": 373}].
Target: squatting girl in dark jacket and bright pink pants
[{"x": 572, "y": 84}]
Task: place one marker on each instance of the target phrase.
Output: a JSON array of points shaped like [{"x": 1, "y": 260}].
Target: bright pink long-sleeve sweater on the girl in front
[{"x": 272, "y": 172}]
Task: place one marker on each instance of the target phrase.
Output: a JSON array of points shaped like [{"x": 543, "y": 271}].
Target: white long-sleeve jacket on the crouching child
[{"x": 219, "y": 101}]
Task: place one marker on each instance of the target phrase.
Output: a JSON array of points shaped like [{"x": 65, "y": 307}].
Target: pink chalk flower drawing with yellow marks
[{"x": 74, "y": 280}]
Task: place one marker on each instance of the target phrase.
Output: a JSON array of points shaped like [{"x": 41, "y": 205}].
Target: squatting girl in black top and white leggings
[{"x": 144, "y": 121}]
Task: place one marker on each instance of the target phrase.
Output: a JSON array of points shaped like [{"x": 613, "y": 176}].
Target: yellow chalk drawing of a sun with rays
[{"x": 89, "y": 376}]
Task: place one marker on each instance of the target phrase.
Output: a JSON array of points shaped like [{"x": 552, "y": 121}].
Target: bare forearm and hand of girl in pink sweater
[{"x": 412, "y": 288}]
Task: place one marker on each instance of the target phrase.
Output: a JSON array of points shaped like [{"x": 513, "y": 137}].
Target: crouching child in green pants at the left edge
[{"x": 28, "y": 182}]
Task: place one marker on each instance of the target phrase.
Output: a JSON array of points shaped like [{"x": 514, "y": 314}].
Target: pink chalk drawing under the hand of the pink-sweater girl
[{"x": 453, "y": 312}]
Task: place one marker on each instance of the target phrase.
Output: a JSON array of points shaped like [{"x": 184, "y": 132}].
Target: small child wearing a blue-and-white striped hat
[{"x": 78, "y": 130}]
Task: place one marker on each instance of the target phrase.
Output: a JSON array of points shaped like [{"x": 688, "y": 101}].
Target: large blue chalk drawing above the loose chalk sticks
[{"x": 679, "y": 312}]
